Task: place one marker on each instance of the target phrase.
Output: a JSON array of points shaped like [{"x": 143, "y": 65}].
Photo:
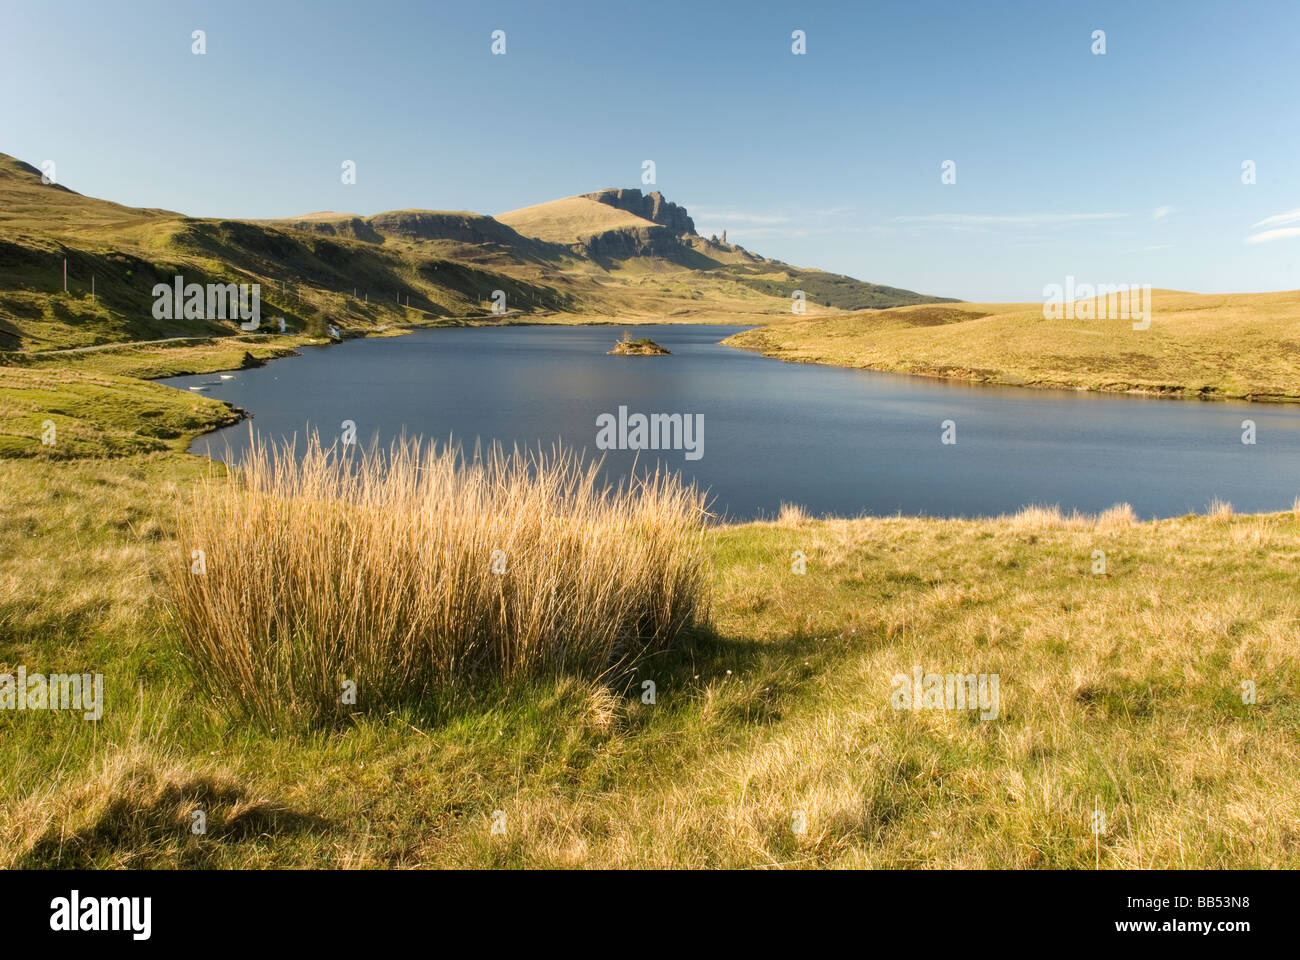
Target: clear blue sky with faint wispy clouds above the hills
[{"x": 1117, "y": 168}]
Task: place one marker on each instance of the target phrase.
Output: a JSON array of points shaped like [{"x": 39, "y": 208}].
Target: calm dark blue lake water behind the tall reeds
[{"x": 834, "y": 440}]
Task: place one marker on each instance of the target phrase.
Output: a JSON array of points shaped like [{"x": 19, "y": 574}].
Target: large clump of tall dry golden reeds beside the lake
[{"x": 415, "y": 570}]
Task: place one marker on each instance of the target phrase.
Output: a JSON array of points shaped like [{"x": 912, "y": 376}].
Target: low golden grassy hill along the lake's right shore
[{"x": 1198, "y": 345}]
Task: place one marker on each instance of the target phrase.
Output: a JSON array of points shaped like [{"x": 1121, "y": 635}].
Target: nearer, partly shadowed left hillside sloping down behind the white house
[{"x": 309, "y": 278}]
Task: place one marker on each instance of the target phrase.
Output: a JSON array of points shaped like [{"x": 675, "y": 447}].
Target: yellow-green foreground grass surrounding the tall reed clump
[{"x": 1120, "y": 694}]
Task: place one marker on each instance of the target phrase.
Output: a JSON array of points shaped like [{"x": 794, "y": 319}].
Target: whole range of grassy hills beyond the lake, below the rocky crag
[{"x": 571, "y": 260}]
